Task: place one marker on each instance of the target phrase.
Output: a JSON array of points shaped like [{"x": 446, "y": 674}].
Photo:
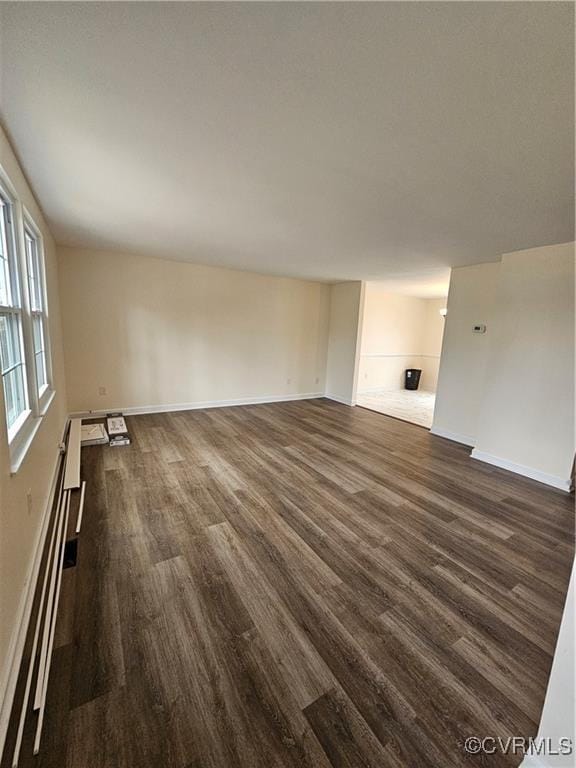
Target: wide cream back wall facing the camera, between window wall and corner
[{"x": 157, "y": 333}]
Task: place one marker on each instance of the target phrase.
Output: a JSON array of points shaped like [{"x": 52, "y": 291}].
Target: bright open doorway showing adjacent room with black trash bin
[{"x": 402, "y": 330}]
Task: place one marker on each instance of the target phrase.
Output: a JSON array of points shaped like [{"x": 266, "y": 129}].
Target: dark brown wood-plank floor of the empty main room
[{"x": 302, "y": 584}]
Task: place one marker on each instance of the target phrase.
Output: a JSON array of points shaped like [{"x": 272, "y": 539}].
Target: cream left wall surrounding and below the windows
[{"x": 20, "y": 526}]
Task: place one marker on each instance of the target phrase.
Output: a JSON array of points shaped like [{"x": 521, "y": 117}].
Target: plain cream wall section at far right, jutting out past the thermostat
[{"x": 527, "y": 415}]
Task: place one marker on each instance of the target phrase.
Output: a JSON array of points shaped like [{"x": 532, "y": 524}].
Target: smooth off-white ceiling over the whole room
[{"x": 326, "y": 140}]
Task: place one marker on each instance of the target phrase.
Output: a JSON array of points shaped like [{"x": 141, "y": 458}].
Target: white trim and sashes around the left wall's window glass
[{"x": 21, "y": 434}]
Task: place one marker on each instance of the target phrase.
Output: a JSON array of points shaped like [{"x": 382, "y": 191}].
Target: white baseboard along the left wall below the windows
[{"x": 18, "y": 640}]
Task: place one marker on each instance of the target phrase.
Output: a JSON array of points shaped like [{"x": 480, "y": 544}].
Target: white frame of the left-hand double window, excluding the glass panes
[{"x": 20, "y": 434}]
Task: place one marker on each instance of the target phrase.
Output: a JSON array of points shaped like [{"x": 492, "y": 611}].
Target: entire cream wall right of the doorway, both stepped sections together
[{"x": 510, "y": 392}]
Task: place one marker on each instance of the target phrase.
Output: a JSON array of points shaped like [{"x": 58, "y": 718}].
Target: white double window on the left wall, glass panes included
[{"x": 24, "y": 341}]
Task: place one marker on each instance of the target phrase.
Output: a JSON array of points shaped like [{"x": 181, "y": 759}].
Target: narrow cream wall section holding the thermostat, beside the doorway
[{"x": 464, "y": 359}]
